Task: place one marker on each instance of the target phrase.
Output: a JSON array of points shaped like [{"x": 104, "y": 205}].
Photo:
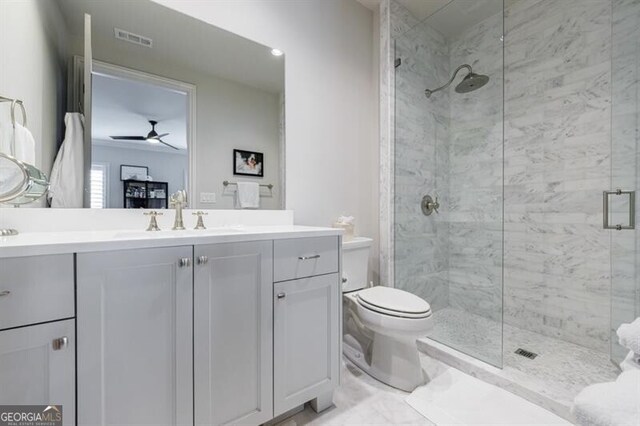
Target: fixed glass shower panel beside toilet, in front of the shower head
[{"x": 449, "y": 144}]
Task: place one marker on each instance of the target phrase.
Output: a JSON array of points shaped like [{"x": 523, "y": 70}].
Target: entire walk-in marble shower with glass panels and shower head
[{"x": 516, "y": 264}]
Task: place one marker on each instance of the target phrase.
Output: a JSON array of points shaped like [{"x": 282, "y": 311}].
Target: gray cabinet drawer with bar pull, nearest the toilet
[{"x": 304, "y": 257}]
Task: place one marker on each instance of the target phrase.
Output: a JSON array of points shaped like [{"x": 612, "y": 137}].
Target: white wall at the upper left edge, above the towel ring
[{"x": 33, "y": 69}]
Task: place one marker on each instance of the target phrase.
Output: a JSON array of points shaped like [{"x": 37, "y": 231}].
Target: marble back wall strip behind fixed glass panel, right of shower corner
[{"x": 475, "y": 174}]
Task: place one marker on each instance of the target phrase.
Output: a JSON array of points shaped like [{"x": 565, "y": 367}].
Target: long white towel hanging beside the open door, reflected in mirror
[{"x": 67, "y": 175}]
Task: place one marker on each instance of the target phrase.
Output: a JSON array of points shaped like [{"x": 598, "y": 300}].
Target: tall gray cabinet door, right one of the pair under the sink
[{"x": 233, "y": 332}]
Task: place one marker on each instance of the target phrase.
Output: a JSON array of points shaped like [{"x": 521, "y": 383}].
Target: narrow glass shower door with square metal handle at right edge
[{"x": 620, "y": 206}]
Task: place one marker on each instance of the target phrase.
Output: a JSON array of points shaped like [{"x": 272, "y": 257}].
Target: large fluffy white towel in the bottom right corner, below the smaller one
[{"x": 610, "y": 404}]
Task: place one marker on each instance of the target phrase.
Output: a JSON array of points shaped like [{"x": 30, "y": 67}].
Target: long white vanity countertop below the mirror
[{"x": 42, "y": 243}]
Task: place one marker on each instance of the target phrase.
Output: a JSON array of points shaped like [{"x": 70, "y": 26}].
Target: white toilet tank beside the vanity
[{"x": 355, "y": 263}]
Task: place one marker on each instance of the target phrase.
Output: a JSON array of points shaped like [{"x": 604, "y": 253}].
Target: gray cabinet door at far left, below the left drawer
[{"x": 36, "y": 370}]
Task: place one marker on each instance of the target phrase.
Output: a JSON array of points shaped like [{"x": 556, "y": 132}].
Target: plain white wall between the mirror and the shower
[{"x": 331, "y": 113}]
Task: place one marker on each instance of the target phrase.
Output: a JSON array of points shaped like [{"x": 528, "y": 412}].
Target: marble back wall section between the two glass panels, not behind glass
[{"x": 557, "y": 162}]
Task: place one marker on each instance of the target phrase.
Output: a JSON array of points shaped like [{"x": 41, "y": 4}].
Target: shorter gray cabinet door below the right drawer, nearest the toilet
[{"x": 306, "y": 340}]
